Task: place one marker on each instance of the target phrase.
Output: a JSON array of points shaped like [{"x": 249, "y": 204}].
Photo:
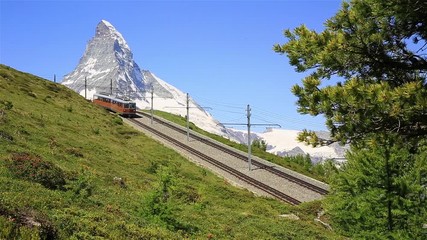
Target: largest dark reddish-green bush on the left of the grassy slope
[{"x": 33, "y": 168}]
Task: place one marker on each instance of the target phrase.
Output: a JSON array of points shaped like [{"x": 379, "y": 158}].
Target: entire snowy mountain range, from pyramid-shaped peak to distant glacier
[{"x": 107, "y": 66}]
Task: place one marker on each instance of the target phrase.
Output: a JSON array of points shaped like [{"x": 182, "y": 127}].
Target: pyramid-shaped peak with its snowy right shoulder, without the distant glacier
[{"x": 107, "y": 66}]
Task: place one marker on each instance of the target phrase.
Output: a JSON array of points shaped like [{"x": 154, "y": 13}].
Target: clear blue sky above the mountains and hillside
[{"x": 220, "y": 52}]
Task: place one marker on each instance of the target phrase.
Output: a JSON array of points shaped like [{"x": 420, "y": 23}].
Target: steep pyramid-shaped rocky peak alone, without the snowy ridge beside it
[{"x": 107, "y": 59}]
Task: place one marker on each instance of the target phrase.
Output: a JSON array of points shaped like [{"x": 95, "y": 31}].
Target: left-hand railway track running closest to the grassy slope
[{"x": 274, "y": 192}]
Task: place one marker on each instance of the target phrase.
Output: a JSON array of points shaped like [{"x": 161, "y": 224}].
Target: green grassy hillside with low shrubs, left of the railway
[{"x": 71, "y": 170}]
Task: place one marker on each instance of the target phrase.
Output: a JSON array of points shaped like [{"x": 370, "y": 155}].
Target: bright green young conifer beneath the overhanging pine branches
[{"x": 381, "y": 192}]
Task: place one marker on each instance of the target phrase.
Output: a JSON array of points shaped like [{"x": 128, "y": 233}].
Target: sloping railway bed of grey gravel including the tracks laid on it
[{"x": 295, "y": 185}]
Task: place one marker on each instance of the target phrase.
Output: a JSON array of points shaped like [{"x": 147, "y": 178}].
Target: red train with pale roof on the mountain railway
[{"x": 120, "y": 106}]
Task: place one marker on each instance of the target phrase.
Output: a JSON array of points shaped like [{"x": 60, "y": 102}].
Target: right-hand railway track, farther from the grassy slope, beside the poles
[{"x": 256, "y": 163}]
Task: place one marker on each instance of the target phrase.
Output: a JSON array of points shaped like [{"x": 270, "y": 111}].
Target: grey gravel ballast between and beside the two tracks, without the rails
[{"x": 292, "y": 189}]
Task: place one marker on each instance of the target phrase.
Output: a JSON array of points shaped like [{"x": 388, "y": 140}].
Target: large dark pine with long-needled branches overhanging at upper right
[{"x": 378, "y": 49}]
